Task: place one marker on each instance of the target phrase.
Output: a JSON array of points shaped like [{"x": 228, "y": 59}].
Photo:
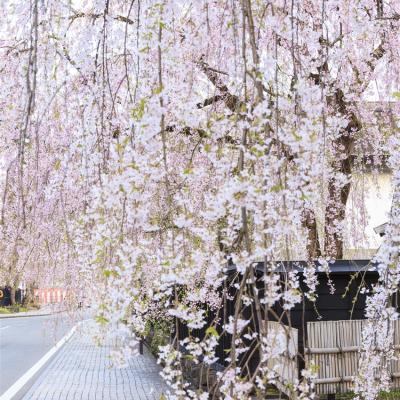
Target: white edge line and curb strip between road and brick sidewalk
[{"x": 24, "y": 383}]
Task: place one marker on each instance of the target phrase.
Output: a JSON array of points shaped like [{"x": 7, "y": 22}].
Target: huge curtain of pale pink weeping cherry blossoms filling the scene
[{"x": 153, "y": 184}]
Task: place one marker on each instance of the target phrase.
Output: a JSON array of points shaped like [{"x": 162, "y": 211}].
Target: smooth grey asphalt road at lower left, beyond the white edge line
[{"x": 25, "y": 340}]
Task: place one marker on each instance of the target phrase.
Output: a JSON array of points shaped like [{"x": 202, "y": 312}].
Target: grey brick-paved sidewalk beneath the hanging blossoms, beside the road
[{"x": 81, "y": 370}]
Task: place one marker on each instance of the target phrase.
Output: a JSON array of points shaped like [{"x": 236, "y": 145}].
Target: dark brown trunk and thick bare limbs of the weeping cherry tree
[{"x": 338, "y": 193}]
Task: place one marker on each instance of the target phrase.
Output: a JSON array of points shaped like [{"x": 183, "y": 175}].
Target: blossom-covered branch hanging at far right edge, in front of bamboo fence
[{"x": 377, "y": 351}]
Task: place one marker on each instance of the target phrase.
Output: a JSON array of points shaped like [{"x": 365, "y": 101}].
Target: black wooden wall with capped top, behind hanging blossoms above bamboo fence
[{"x": 339, "y": 297}]
